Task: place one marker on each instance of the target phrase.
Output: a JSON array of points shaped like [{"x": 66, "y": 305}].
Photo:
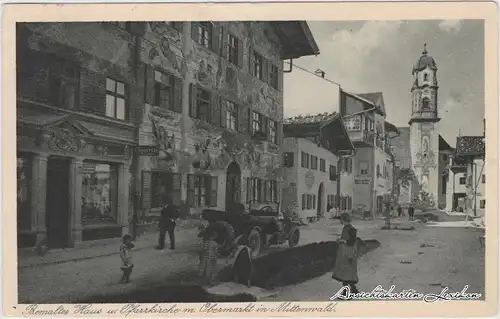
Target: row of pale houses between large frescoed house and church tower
[{"x": 356, "y": 163}]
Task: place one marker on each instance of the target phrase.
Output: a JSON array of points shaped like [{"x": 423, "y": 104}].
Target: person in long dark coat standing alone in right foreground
[{"x": 346, "y": 264}]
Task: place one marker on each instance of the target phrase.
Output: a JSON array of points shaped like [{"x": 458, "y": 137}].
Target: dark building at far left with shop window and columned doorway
[{"x": 78, "y": 103}]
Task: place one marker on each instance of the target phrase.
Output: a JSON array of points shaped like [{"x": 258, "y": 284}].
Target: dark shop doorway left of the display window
[{"x": 57, "y": 203}]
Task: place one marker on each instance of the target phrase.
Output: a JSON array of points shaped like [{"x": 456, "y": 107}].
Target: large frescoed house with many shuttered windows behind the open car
[{"x": 214, "y": 108}]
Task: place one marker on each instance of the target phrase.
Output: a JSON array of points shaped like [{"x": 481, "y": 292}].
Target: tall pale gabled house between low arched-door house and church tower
[{"x": 373, "y": 164}]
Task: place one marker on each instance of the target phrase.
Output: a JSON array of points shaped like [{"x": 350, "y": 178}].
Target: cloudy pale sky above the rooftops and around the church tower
[{"x": 378, "y": 56}]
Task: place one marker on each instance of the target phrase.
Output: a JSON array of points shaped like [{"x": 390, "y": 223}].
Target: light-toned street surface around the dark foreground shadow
[{"x": 454, "y": 260}]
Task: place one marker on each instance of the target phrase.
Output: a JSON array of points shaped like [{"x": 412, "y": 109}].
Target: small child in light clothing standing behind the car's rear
[{"x": 208, "y": 256}]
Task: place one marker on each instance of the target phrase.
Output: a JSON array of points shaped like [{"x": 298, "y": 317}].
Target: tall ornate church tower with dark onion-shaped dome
[{"x": 424, "y": 120}]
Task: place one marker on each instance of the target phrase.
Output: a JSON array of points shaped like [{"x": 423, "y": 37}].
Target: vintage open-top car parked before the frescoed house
[{"x": 258, "y": 228}]
